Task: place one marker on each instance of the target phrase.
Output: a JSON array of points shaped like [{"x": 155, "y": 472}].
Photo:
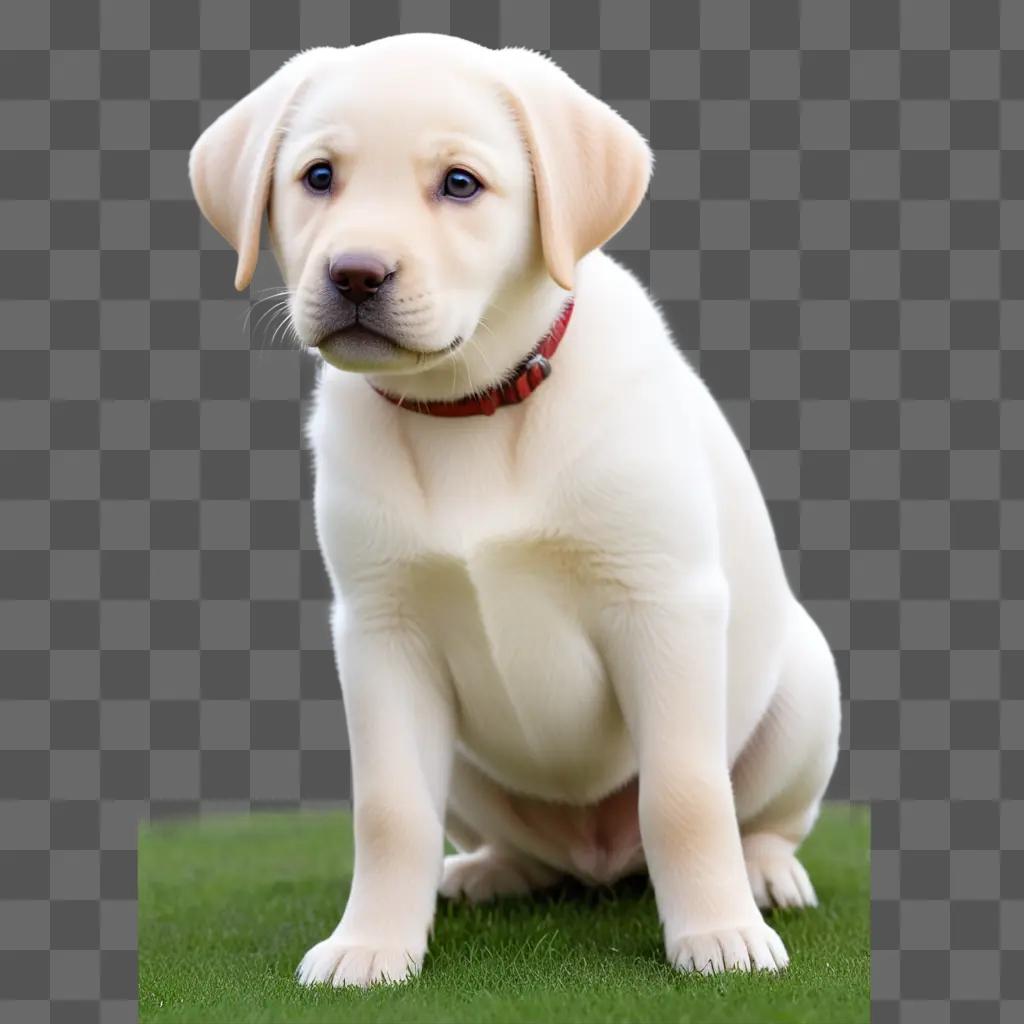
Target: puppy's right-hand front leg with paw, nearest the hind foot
[{"x": 667, "y": 657}]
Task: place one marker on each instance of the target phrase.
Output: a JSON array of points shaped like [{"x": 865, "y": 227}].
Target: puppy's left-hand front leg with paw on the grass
[{"x": 401, "y": 731}]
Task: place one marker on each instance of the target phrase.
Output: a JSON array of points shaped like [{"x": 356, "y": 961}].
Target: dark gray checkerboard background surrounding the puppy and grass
[{"x": 836, "y": 230}]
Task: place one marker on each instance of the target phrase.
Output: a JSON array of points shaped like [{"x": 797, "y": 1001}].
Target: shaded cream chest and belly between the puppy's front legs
[{"x": 536, "y": 708}]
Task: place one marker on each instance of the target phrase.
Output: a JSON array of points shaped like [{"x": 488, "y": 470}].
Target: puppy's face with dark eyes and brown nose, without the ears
[{"x": 402, "y": 204}]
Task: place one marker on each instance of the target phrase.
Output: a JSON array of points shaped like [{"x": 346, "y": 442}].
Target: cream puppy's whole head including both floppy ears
[{"x": 410, "y": 184}]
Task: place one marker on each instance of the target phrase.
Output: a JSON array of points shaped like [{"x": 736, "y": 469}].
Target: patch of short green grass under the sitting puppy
[{"x": 229, "y": 907}]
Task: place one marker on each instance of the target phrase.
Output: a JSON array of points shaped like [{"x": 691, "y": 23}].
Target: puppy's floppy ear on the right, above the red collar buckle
[{"x": 591, "y": 167}]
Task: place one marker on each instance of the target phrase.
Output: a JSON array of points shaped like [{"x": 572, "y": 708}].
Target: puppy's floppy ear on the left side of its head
[{"x": 232, "y": 164}]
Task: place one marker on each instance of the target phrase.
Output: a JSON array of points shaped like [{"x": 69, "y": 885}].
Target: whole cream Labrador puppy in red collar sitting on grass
[{"x": 565, "y": 634}]
